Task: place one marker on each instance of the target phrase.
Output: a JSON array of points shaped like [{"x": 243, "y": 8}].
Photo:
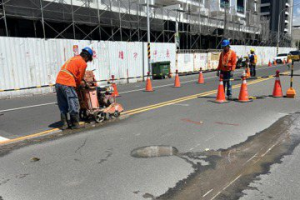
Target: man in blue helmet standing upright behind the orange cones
[{"x": 227, "y": 65}]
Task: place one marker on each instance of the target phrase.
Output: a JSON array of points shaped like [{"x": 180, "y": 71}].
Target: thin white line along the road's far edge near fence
[{"x": 125, "y": 92}]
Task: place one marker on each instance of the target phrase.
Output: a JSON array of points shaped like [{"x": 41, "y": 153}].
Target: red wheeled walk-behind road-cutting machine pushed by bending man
[{"x": 98, "y": 103}]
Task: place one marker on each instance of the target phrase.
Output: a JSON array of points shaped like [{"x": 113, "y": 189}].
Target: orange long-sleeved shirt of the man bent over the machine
[{"x": 72, "y": 72}]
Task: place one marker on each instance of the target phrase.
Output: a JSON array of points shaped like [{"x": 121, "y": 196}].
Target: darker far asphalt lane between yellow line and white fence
[{"x": 20, "y": 117}]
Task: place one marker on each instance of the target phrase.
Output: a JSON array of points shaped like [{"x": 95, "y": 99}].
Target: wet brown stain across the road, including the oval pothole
[{"x": 230, "y": 171}]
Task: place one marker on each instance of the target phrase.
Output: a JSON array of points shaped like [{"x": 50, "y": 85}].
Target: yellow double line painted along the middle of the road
[{"x": 135, "y": 111}]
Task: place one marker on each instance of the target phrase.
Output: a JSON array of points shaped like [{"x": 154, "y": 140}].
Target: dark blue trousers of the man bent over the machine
[{"x": 67, "y": 99}]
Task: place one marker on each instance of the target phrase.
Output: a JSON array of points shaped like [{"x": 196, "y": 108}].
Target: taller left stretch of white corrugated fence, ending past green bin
[{"x": 30, "y": 65}]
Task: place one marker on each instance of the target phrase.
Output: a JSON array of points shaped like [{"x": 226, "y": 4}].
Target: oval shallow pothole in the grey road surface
[{"x": 154, "y": 151}]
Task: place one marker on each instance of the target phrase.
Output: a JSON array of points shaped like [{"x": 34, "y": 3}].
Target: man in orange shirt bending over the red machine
[{"x": 68, "y": 79}]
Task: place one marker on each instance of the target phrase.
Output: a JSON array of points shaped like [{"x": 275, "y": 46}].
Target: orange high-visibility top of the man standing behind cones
[{"x": 227, "y": 61}]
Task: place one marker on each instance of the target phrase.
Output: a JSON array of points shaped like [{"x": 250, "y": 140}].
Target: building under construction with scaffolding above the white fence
[{"x": 192, "y": 24}]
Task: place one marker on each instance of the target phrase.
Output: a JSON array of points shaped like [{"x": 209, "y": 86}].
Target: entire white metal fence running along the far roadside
[{"x": 27, "y": 62}]
